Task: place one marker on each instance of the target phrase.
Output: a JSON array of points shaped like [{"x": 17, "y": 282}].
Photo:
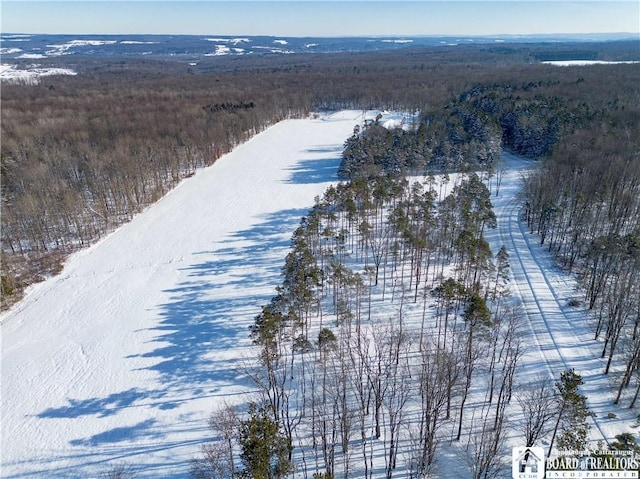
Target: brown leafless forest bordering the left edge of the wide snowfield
[{"x": 82, "y": 158}]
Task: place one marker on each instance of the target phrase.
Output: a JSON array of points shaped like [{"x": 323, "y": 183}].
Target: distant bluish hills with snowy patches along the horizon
[{"x": 17, "y": 46}]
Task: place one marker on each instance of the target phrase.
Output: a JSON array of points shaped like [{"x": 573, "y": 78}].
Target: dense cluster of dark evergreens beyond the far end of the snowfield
[{"x": 471, "y": 130}]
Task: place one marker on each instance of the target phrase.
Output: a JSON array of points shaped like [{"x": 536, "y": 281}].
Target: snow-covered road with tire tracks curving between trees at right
[{"x": 560, "y": 336}]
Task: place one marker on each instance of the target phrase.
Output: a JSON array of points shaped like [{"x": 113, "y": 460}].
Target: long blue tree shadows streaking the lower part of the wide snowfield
[{"x": 197, "y": 337}]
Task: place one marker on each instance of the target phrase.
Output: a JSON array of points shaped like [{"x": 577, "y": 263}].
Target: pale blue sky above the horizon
[{"x": 320, "y": 18}]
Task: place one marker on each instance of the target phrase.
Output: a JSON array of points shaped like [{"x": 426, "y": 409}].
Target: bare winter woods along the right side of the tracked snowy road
[{"x": 585, "y": 207}]
